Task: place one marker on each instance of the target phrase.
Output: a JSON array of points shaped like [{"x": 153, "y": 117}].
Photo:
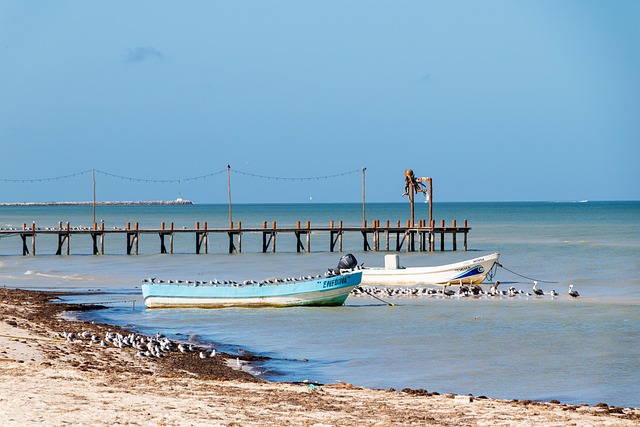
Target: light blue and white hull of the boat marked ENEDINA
[{"x": 329, "y": 291}]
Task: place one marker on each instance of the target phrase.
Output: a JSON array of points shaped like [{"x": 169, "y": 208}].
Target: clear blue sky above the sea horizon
[{"x": 495, "y": 100}]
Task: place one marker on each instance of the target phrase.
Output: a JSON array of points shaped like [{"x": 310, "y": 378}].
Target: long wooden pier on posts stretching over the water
[{"x": 420, "y": 237}]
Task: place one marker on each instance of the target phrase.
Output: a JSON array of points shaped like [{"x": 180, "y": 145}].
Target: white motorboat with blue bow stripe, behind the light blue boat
[{"x": 472, "y": 271}]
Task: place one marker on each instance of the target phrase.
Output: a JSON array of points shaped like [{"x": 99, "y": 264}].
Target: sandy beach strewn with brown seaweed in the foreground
[{"x": 49, "y": 379}]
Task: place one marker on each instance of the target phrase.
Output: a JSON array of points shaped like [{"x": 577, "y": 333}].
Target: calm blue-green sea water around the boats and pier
[{"x": 584, "y": 350}]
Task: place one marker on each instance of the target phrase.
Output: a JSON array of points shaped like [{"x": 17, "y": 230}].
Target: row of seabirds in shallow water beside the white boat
[{"x": 463, "y": 291}]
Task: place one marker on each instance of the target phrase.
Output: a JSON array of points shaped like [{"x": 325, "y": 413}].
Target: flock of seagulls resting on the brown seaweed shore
[{"x": 147, "y": 346}]
